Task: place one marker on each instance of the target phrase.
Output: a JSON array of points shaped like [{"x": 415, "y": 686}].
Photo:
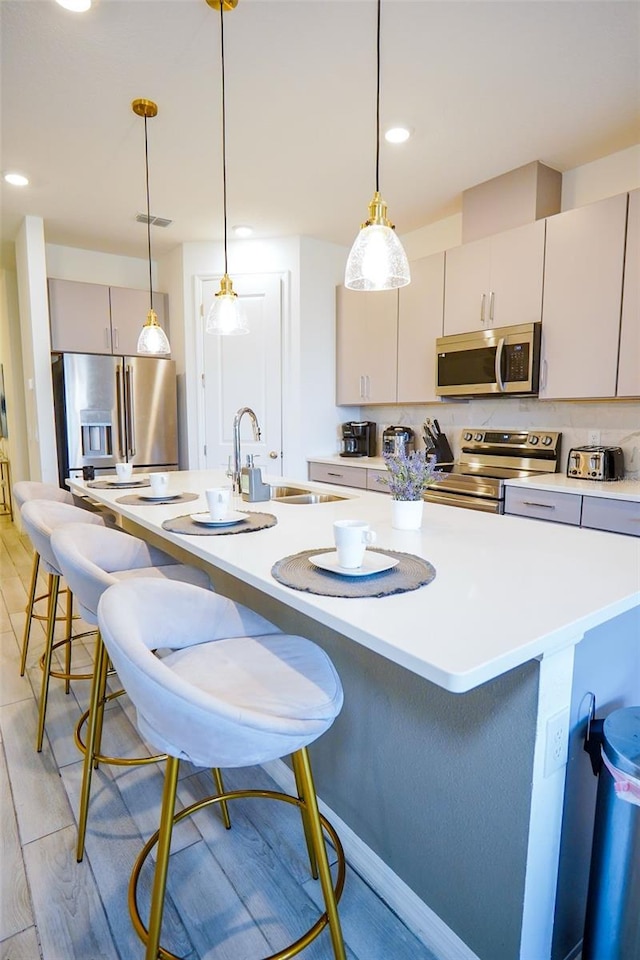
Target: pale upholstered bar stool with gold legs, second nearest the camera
[{"x": 91, "y": 559}]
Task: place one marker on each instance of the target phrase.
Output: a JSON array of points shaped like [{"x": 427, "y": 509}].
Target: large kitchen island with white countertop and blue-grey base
[{"x": 438, "y": 770}]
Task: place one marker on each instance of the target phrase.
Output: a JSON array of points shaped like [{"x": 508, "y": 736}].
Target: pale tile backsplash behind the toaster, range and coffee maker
[{"x": 618, "y": 422}]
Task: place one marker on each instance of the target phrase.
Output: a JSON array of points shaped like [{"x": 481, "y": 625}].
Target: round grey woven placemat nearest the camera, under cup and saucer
[{"x": 297, "y": 572}]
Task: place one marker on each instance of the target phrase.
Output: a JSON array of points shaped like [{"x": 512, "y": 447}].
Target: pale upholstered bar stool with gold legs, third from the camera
[{"x": 40, "y": 518}]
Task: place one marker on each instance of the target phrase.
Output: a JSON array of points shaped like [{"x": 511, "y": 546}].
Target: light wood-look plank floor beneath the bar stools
[{"x": 234, "y": 895}]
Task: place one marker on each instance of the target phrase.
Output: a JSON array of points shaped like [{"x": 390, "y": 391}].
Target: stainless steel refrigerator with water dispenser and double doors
[{"x": 114, "y": 409}]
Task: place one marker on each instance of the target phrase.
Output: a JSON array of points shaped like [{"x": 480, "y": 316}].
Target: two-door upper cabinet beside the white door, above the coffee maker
[{"x": 366, "y": 346}]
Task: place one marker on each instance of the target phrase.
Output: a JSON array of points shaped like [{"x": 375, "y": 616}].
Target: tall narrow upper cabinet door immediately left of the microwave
[{"x": 420, "y": 317}]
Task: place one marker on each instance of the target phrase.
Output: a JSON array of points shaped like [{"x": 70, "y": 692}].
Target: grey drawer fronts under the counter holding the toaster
[{"x": 597, "y": 513}]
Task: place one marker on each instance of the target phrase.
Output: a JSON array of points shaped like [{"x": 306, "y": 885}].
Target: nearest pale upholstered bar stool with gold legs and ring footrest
[{"x": 230, "y": 694}]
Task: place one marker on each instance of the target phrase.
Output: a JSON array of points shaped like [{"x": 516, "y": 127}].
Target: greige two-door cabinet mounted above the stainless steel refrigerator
[{"x": 94, "y": 318}]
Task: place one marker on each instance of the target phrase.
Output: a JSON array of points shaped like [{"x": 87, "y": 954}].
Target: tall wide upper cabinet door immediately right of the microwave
[{"x": 582, "y": 300}]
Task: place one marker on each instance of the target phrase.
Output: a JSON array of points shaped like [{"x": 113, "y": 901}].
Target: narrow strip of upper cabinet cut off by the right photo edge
[{"x": 629, "y": 362}]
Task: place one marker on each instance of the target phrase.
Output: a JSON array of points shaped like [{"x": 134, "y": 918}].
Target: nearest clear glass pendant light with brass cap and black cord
[{"x": 377, "y": 260}]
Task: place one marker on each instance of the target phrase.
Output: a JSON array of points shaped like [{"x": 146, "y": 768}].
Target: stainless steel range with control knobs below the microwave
[{"x": 488, "y": 458}]
